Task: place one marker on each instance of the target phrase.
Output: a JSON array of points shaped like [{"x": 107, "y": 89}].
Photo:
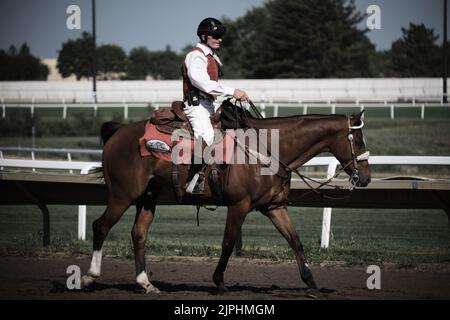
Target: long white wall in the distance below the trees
[{"x": 393, "y": 89}]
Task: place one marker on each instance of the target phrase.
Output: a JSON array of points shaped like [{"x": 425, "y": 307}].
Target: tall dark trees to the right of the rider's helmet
[{"x": 320, "y": 39}]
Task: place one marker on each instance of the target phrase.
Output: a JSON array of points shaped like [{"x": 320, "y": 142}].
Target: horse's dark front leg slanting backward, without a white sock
[{"x": 235, "y": 217}]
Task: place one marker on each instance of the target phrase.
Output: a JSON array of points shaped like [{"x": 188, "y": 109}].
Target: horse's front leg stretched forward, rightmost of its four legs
[{"x": 282, "y": 221}]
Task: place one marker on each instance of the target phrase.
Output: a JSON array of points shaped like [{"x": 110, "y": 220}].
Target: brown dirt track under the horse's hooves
[{"x": 190, "y": 279}]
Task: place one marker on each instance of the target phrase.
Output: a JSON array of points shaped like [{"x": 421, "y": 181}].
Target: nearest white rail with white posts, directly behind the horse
[{"x": 330, "y": 162}]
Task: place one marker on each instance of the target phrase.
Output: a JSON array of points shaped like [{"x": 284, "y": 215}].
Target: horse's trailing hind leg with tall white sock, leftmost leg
[{"x": 101, "y": 228}]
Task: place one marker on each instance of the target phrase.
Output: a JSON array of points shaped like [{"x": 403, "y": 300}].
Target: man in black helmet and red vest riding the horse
[{"x": 201, "y": 72}]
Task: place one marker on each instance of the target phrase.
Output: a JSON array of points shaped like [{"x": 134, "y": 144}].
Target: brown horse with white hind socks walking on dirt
[{"x": 133, "y": 179}]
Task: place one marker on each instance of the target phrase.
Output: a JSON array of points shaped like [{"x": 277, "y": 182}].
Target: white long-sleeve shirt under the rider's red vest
[{"x": 197, "y": 65}]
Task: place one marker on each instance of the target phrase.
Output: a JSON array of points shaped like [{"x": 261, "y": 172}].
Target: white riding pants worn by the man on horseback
[{"x": 199, "y": 118}]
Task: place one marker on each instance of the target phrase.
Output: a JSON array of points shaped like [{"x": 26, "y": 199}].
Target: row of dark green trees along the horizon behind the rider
[{"x": 280, "y": 39}]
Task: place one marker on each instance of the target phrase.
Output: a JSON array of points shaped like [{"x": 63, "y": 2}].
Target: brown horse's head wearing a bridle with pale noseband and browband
[{"x": 350, "y": 150}]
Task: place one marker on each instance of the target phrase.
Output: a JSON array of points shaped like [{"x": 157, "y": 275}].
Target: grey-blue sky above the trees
[{"x": 158, "y": 23}]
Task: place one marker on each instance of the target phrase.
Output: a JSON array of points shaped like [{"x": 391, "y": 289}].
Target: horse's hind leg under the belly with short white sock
[{"x": 145, "y": 211}]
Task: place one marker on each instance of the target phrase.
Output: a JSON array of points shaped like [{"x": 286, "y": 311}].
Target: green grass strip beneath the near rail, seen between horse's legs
[{"x": 405, "y": 237}]
